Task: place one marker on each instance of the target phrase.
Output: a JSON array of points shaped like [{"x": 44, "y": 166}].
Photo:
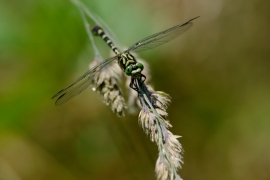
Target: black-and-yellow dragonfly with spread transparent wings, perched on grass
[{"x": 126, "y": 60}]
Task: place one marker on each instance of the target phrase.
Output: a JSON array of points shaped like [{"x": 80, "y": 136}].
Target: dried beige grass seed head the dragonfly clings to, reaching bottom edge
[{"x": 153, "y": 120}]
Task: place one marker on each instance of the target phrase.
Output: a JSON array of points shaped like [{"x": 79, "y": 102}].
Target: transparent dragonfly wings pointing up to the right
[{"x": 161, "y": 37}]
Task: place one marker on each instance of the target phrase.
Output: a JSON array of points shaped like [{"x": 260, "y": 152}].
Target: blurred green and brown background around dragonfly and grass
[{"x": 218, "y": 74}]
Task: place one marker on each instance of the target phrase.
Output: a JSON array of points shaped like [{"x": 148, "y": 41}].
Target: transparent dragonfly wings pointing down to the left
[{"x": 80, "y": 84}]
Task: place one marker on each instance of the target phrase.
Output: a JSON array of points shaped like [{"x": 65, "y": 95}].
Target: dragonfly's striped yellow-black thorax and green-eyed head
[{"x": 129, "y": 65}]
